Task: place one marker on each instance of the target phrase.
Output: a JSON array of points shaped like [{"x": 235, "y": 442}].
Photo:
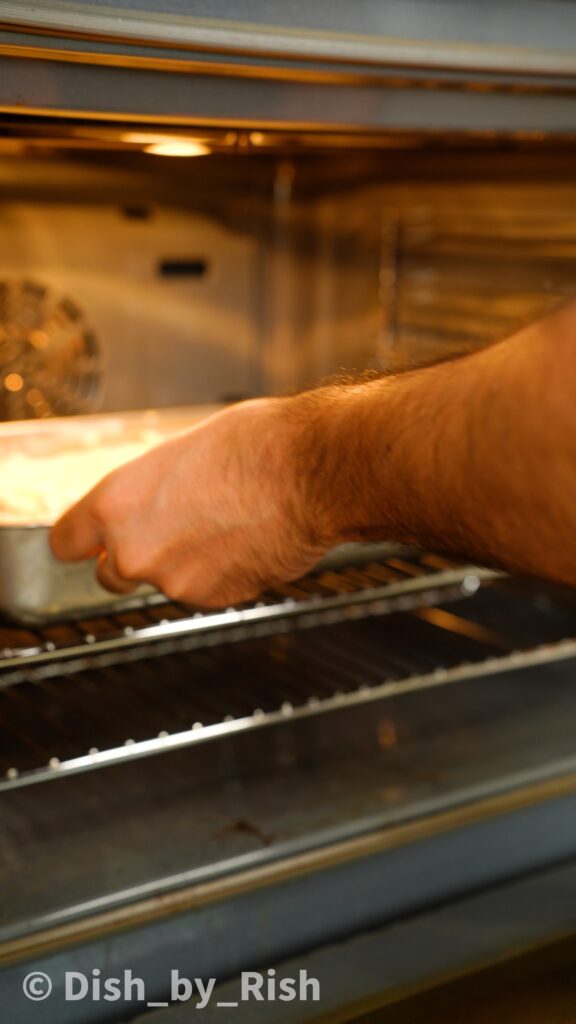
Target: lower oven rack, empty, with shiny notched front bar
[{"x": 97, "y": 714}]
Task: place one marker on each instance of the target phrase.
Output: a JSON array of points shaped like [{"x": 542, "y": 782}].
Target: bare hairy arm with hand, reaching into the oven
[{"x": 476, "y": 457}]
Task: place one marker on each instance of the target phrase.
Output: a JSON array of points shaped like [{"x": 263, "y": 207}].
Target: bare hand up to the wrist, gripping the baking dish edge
[{"x": 212, "y": 518}]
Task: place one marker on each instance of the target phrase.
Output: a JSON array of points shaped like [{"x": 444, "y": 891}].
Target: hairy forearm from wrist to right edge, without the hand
[{"x": 475, "y": 457}]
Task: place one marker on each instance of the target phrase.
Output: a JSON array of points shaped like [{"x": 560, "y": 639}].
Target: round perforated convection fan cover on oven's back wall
[{"x": 50, "y": 362}]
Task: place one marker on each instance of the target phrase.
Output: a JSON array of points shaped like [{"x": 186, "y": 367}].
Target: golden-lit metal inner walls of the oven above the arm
[{"x": 263, "y": 273}]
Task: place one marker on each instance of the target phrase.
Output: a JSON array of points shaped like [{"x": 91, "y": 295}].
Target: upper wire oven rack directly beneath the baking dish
[{"x": 325, "y": 599}]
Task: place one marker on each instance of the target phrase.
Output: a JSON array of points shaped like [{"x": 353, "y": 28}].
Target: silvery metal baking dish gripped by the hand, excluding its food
[{"x": 35, "y": 587}]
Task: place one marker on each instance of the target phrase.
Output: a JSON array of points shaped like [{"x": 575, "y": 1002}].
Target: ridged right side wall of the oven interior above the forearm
[{"x": 471, "y": 262}]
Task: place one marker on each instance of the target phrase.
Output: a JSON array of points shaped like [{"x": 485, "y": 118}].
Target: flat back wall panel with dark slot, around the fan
[{"x": 166, "y": 293}]
